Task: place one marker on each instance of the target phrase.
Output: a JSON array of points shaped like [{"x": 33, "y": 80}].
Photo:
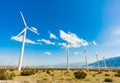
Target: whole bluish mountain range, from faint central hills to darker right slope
[{"x": 113, "y": 62}]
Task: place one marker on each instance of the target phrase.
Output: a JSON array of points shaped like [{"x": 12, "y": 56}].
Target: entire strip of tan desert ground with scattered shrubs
[{"x": 58, "y": 75}]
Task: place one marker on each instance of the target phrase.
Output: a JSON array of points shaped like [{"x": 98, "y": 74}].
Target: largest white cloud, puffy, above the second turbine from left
[{"x": 73, "y": 39}]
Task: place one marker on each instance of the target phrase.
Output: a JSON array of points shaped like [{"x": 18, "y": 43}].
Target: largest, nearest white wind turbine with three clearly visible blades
[{"x": 23, "y": 40}]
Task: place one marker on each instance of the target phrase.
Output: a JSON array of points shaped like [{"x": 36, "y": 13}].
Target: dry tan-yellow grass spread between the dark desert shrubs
[{"x": 61, "y": 76}]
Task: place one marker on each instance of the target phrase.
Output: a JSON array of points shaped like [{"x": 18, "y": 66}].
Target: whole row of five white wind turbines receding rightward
[{"x": 24, "y": 31}]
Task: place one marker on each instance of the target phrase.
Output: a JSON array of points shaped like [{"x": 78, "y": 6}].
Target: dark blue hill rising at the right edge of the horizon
[{"x": 110, "y": 62}]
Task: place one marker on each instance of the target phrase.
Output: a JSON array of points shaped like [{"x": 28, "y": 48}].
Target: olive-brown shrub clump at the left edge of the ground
[{"x": 4, "y": 75}]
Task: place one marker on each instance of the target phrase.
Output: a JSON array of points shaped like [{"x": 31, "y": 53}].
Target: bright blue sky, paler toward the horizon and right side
[{"x": 88, "y": 20}]
